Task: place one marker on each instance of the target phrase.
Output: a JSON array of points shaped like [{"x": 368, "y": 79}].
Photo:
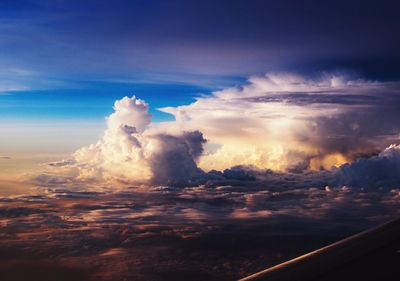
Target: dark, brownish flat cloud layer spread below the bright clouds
[{"x": 221, "y": 228}]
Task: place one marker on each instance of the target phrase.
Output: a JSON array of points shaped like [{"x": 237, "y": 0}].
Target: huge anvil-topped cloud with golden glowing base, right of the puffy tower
[{"x": 288, "y": 122}]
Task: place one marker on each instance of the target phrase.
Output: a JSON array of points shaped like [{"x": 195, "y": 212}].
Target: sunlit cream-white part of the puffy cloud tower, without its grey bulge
[{"x": 123, "y": 151}]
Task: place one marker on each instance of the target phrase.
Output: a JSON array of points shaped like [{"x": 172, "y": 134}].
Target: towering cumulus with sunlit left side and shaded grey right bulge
[{"x": 130, "y": 151}]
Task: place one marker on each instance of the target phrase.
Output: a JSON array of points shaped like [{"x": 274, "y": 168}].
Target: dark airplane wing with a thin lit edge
[{"x": 370, "y": 255}]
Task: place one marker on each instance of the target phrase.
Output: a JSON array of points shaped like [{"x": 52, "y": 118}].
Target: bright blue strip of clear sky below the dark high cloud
[{"x": 93, "y": 101}]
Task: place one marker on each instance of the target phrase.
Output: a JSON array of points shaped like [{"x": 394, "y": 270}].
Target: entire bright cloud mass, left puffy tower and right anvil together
[{"x": 283, "y": 122}]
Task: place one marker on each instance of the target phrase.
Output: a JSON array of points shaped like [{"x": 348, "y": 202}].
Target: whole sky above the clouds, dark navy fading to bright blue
[{"x": 67, "y": 61}]
